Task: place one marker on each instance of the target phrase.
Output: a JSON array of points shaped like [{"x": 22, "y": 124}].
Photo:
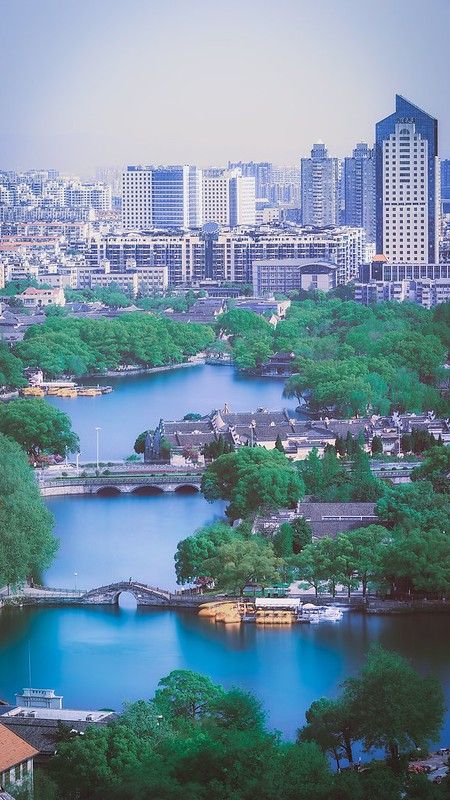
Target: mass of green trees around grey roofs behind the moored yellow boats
[{"x": 406, "y": 553}]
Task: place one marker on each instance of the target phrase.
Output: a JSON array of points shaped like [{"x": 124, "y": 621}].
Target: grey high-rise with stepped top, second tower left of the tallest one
[{"x": 319, "y": 186}]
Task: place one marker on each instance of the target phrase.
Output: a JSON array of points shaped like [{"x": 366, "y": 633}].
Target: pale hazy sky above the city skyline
[{"x": 104, "y": 82}]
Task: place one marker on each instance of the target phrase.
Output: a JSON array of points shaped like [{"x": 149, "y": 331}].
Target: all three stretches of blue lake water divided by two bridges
[{"x": 98, "y": 657}]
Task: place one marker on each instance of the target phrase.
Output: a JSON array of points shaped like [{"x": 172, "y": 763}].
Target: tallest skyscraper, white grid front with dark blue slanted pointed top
[{"x": 407, "y": 185}]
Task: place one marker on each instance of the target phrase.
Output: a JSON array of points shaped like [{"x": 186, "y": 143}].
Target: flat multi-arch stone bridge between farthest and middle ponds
[{"x": 115, "y": 484}]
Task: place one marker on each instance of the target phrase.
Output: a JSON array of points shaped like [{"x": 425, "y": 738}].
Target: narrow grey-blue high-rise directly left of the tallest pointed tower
[{"x": 359, "y": 190}]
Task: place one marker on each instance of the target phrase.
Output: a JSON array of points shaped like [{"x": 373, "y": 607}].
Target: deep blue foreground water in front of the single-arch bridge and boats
[{"x": 98, "y": 657}]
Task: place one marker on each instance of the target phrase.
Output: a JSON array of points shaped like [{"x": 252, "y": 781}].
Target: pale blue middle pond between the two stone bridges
[{"x": 108, "y": 539}]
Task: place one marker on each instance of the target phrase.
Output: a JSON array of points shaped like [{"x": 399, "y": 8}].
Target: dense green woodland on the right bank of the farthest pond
[{"x": 351, "y": 359}]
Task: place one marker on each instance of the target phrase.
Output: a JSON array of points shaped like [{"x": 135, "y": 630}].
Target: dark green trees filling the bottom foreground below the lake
[{"x": 195, "y": 741}]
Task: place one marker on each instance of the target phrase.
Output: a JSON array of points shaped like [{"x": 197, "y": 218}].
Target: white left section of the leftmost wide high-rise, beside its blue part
[{"x": 137, "y": 198}]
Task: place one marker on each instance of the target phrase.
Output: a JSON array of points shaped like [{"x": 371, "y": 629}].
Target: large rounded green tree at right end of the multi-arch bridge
[{"x": 252, "y": 478}]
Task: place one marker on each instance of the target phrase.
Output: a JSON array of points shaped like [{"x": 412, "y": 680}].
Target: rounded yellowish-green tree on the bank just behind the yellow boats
[{"x": 239, "y": 561}]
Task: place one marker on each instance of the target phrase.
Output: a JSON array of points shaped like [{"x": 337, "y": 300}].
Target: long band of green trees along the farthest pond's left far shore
[{"x": 77, "y": 346}]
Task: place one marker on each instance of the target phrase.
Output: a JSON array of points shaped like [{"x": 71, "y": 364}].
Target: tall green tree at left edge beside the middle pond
[{"x": 27, "y": 545}]
